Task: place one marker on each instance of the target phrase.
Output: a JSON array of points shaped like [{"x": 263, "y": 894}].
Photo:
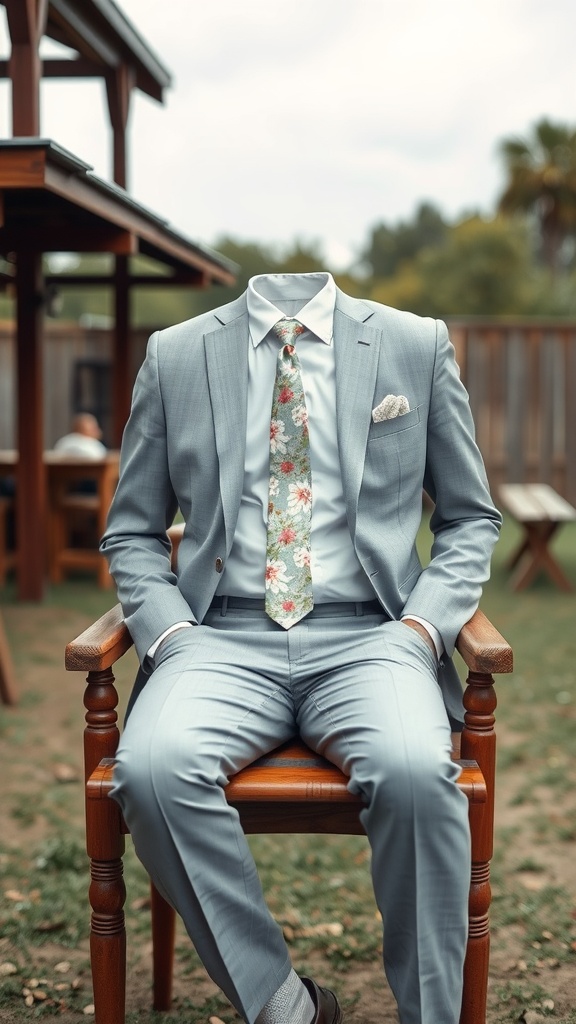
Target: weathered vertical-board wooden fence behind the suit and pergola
[{"x": 521, "y": 378}]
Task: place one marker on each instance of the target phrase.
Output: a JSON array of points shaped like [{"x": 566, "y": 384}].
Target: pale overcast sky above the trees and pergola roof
[{"x": 319, "y": 118}]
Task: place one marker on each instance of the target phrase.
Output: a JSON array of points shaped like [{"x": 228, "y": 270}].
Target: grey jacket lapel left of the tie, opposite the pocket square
[{"x": 227, "y": 362}]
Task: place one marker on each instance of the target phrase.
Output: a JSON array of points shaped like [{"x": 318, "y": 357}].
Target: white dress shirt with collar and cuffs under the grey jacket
[{"x": 337, "y": 573}]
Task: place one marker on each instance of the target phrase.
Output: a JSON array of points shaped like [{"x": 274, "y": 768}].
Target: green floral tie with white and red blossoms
[{"x": 289, "y": 577}]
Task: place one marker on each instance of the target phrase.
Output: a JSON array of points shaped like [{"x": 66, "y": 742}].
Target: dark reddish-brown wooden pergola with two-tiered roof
[{"x": 51, "y": 201}]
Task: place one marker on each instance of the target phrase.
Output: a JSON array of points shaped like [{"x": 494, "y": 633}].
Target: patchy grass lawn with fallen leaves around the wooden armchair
[{"x": 318, "y": 888}]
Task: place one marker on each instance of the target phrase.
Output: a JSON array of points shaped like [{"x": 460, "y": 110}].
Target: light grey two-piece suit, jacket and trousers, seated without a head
[{"x": 184, "y": 448}]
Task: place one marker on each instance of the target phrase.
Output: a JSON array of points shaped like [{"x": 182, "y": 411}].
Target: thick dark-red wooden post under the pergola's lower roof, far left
[{"x": 31, "y": 497}]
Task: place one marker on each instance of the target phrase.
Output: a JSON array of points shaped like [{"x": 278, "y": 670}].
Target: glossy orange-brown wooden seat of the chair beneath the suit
[{"x": 291, "y": 787}]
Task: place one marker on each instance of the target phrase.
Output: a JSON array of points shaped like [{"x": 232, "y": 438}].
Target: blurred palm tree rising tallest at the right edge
[{"x": 543, "y": 182}]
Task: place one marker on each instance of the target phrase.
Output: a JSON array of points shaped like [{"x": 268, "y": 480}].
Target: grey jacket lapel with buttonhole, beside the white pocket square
[{"x": 357, "y": 353}]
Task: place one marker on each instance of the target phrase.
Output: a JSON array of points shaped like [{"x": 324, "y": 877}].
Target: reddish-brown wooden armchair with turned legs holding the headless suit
[{"x": 291, "y": 791}]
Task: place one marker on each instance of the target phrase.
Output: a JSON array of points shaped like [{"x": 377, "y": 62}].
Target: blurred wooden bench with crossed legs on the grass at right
[{"x": 542, "y": 513}]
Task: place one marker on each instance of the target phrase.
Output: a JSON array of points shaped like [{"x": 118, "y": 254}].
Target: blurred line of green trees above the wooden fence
[{"x": 518, "y": 261}]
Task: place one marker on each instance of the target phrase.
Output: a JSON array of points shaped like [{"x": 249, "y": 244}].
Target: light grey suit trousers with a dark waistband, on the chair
[{"x": 363, "y": 693}]
